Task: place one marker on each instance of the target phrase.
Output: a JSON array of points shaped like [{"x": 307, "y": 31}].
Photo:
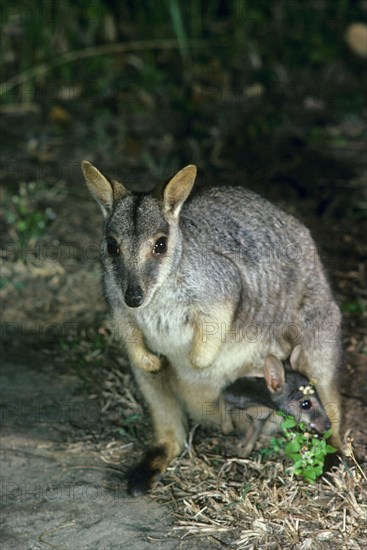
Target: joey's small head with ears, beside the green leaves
[{"x": 292, "y": 393}]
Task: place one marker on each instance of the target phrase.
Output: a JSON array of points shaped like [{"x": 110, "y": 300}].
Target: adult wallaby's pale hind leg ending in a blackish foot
[{"x": 169, "y": 426}]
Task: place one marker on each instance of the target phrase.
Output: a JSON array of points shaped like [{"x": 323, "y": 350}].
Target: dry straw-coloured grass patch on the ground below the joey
[{"x": 250, "y": 504}]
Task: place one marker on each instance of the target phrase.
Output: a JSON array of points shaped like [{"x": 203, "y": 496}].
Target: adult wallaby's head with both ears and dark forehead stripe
[{"x": 141, "y": 243}]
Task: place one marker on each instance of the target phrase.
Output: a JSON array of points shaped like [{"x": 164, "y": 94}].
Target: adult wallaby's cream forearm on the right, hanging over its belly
[{"x": 209, "y": 336}]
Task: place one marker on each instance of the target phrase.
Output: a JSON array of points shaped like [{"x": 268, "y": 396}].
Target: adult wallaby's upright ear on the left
[{"x": 106, "y": 193}]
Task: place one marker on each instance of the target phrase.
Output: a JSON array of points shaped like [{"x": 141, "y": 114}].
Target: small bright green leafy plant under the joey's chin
[{"x": 306, "y": 450}]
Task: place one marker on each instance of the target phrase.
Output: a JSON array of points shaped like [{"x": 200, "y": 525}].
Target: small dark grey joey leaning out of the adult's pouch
[{"x": 281, "y": 389}]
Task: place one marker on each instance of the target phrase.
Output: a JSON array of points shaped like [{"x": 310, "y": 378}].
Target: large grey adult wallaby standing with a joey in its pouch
[{"x": 202, "y": 287}]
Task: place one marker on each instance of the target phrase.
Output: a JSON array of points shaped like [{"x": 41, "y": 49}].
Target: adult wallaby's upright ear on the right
[{"x": 178, "y": 189}]
